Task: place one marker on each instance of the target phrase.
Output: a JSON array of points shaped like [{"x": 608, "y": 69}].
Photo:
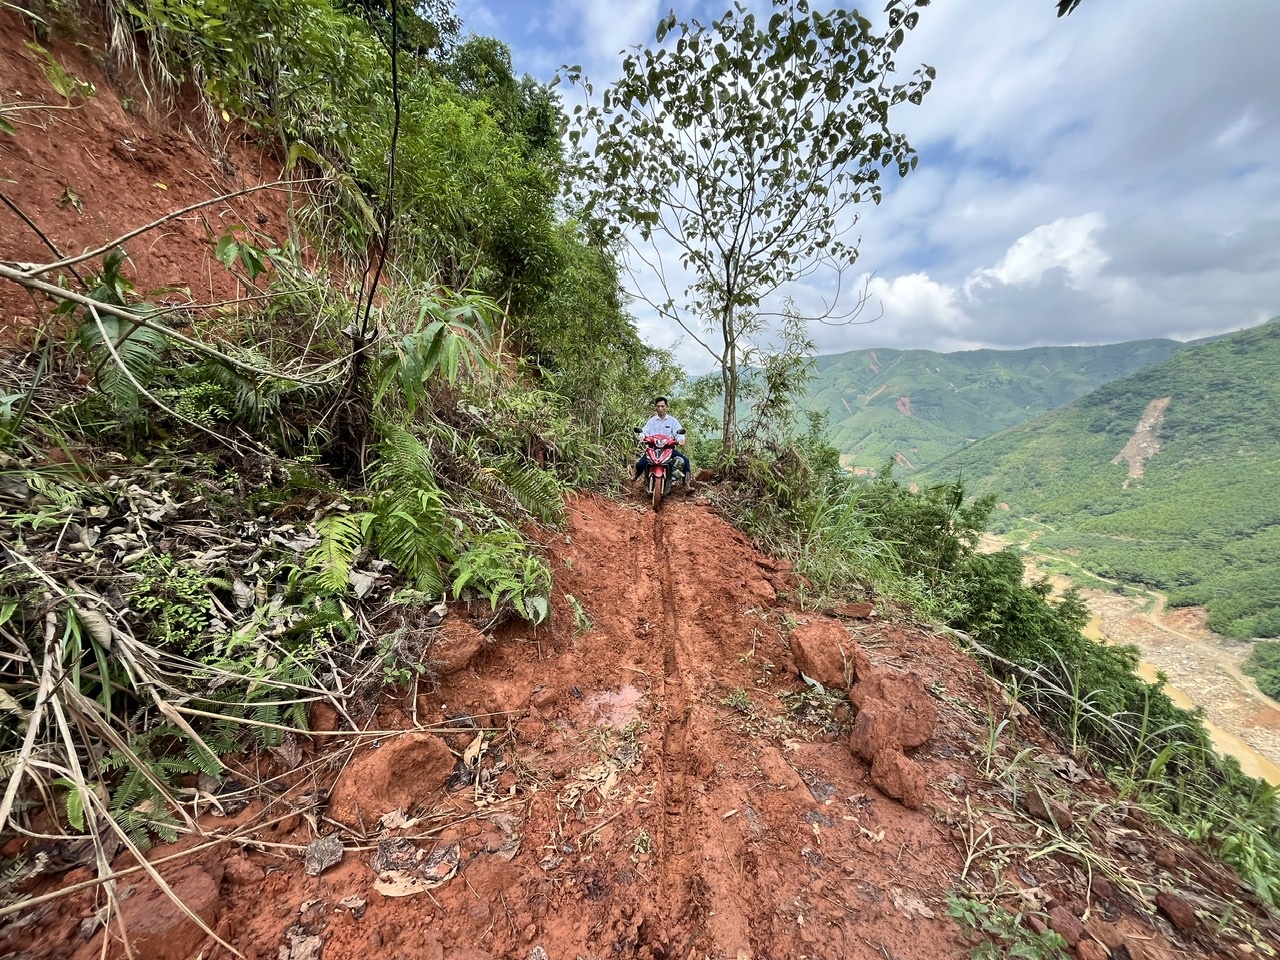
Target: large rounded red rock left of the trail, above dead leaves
[{"x": 405, "y": 772}]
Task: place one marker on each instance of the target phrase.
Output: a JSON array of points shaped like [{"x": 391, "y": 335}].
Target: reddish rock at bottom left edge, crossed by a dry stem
[{"x": 158, "y": 929}]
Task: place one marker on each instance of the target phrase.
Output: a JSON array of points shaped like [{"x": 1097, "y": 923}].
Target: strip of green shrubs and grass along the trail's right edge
[{"x": 916, "y": 552}]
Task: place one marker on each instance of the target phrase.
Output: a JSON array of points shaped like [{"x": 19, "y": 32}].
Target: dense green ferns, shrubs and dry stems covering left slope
[{"x": 254, "y": 511}]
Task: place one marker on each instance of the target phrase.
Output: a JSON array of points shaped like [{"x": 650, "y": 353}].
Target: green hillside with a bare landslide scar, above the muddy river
[{"x": 1165, "y": 478}]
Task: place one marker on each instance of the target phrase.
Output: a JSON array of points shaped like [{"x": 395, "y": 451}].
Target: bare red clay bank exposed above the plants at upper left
[{"x": 88, "y": 171}]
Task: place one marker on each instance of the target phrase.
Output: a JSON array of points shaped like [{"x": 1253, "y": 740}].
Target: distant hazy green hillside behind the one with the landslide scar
[{"x": 918, "y": 406}]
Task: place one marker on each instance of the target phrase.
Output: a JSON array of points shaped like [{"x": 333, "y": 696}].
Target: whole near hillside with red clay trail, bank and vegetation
[{"x": 330, "y": 632}]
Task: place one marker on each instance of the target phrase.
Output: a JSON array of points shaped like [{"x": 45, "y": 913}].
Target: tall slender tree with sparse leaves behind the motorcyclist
[{"x": 744, "y": 145}]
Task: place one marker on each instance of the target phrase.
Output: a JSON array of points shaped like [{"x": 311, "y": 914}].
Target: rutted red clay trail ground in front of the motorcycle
[{"x": 650, "y": 785}]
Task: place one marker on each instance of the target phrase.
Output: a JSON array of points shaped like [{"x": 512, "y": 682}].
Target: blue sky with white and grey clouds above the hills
[{"x": 1105, "y": 177}]
